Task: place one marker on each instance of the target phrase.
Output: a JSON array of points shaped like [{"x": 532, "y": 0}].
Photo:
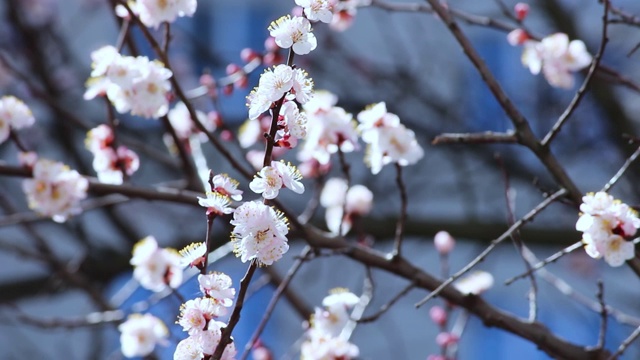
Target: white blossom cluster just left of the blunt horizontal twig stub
[{"x": 388, "y": 140}]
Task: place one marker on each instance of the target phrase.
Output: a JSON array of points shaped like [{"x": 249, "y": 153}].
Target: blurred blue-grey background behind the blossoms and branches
[{"x": 408, "y": 60}]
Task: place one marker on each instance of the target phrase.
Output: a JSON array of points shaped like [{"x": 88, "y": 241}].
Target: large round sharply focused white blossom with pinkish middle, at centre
[{"x": 259, "y": 233}]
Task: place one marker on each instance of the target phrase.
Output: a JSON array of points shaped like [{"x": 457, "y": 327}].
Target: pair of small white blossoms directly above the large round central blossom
[{"x": 271, "y": 179}]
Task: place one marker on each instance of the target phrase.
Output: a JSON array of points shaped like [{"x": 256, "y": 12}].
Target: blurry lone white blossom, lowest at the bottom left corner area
[{"x": 139, "y": 335}]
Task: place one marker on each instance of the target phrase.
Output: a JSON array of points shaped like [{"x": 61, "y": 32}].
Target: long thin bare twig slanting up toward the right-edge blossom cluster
[{"x": 528, "y": 217}]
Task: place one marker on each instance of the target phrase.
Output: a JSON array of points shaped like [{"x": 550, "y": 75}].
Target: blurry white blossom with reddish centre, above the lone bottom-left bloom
[{"x": 156, "y": 268}]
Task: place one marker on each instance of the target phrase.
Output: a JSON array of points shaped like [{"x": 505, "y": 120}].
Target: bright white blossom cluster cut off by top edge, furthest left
[{"x": 153, "y": 12}]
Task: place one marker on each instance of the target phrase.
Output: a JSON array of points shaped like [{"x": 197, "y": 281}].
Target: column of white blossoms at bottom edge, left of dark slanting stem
[{"x": 198, "y": 318}]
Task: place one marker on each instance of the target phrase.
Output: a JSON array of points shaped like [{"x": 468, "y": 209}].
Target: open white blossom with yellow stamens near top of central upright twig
[{"x": 293, "y": 32}]
